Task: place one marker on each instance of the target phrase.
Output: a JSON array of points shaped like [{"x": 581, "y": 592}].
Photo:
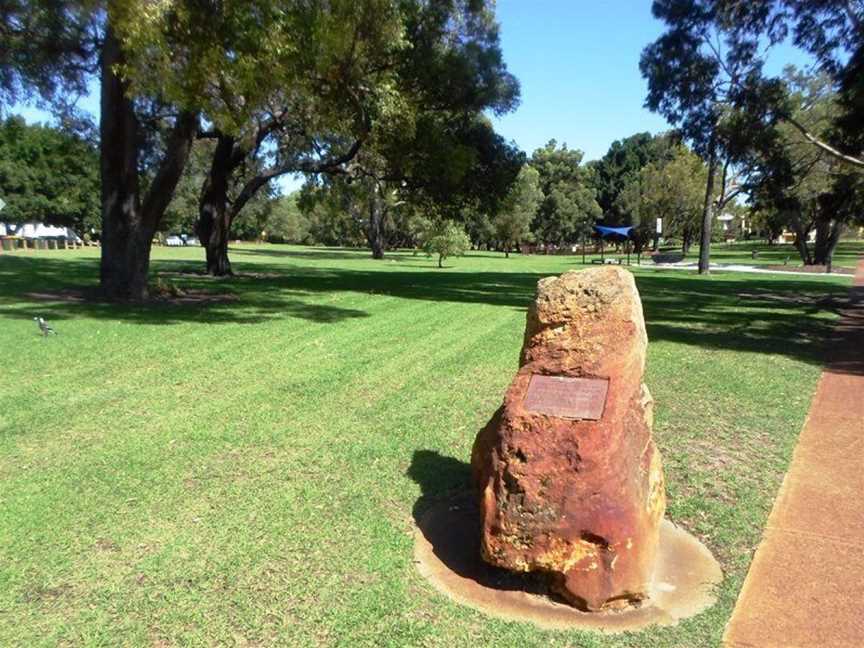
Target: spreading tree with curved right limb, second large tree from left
[{"x": 385, "y": 76}]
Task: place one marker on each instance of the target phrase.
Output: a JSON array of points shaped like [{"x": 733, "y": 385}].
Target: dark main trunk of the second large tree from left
[{"x": 214, "y": 221}]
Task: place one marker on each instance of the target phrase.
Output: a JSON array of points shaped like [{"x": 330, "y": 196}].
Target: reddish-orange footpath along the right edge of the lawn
[{"x": 805, "y": 586}]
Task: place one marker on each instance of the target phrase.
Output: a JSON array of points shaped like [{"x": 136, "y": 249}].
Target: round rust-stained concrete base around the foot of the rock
[{"x": 447, "y": 553}]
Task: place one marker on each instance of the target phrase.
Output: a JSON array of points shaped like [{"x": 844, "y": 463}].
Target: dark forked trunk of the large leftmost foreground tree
[{"x": 128, "y": 225}]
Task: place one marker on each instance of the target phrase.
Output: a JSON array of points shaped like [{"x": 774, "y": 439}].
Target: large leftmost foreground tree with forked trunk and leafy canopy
[{"x": 186, "y": 59}]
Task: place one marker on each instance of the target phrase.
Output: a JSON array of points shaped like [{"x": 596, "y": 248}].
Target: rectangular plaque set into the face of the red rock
[{"x": 577, "y": 398}]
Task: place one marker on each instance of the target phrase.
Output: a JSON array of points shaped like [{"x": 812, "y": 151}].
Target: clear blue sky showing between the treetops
[{"x": 578, "y": 65}]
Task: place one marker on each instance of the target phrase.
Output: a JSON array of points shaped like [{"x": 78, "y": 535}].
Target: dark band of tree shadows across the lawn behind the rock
[{"x": 755, "y": 313}]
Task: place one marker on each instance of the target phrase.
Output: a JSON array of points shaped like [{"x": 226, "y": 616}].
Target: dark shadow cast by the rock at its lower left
[{"x": 448, "y": 517}]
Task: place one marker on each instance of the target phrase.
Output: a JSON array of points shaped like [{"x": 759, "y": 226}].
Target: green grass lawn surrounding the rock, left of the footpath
[{"x": 245, "y": 472}]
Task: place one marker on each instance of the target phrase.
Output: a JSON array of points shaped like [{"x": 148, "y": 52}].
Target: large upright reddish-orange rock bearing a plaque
[{"x": 570, "y": 481}]
